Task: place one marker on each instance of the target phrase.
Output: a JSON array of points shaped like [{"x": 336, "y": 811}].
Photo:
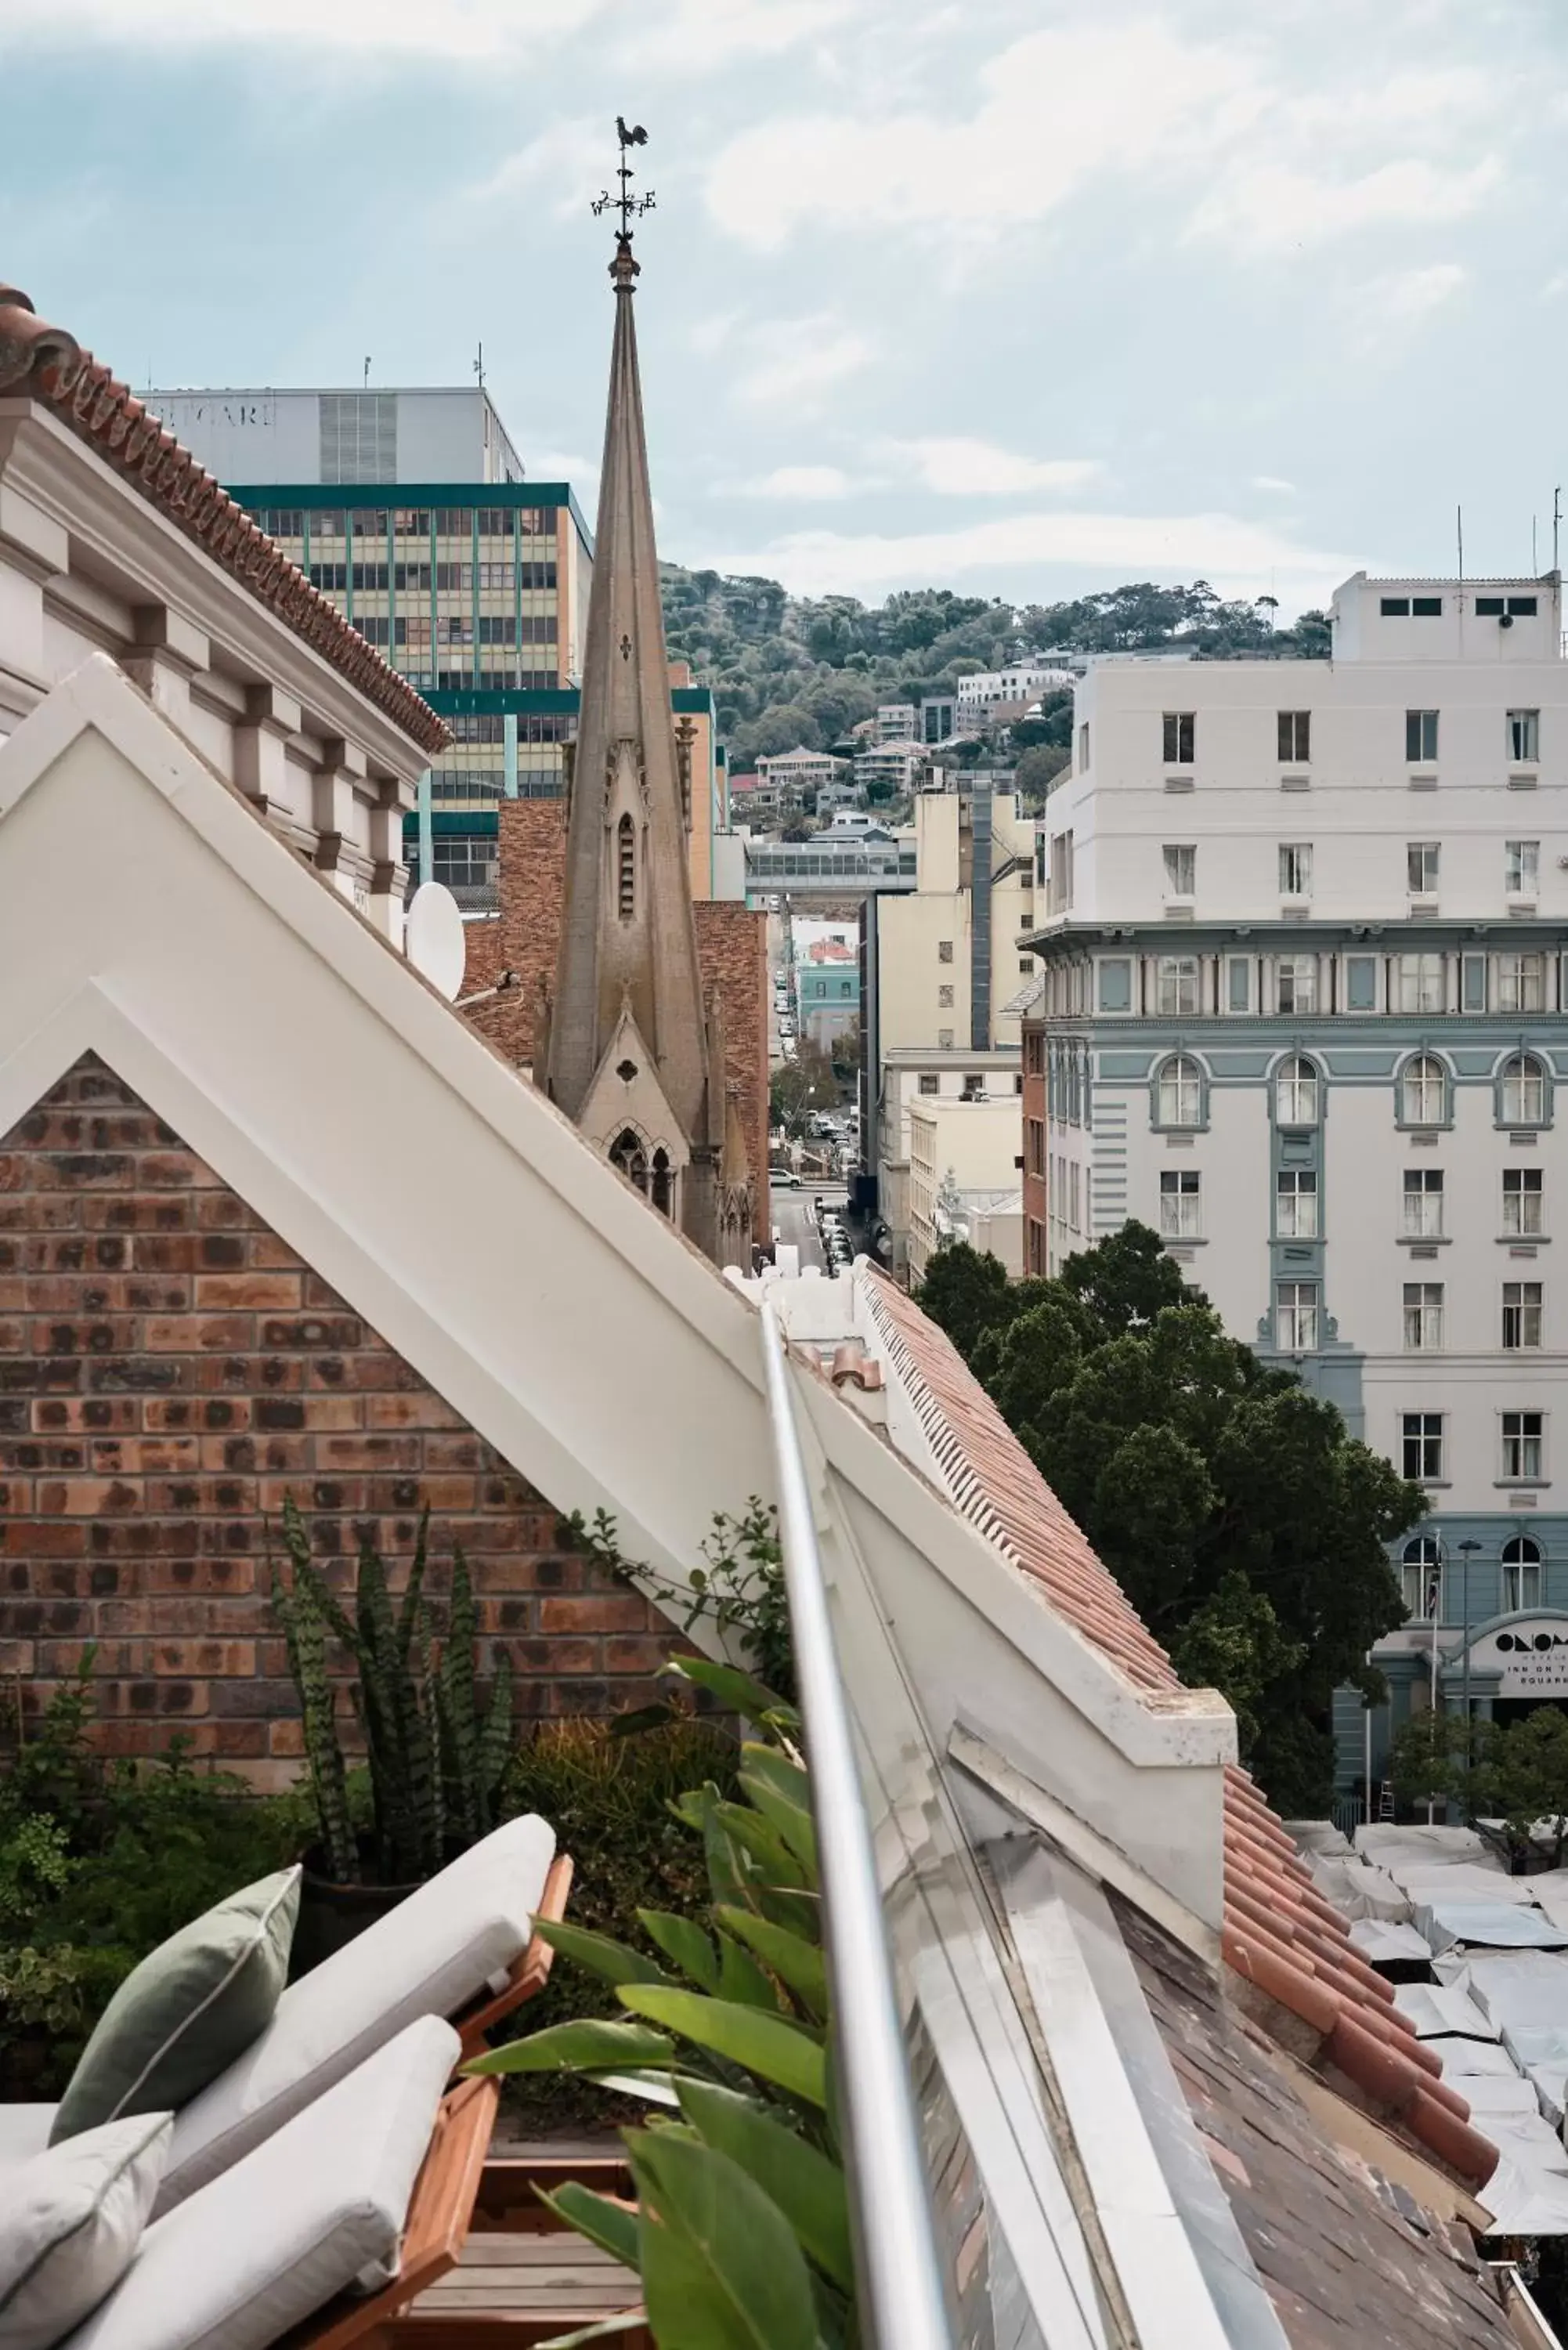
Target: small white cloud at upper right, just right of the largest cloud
[{"x": 1271, "y": 208}]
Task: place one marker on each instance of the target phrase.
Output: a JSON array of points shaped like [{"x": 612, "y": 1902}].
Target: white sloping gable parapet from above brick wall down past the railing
[{"x": 481, "y": 1237}]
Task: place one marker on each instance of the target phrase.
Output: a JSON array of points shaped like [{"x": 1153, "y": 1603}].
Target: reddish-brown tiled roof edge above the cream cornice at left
[{"x": 105, "y": 412}]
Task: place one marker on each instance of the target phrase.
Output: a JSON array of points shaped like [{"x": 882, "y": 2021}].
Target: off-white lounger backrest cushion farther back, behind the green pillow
[{"x": 427, "y": 1959}]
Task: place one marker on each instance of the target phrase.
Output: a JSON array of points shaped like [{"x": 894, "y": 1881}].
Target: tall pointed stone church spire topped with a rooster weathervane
[{"x": 629, "y": 1049}]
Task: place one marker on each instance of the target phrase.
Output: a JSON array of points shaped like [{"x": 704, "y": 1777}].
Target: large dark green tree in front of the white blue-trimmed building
[{"x": 1231, "y": 1505}]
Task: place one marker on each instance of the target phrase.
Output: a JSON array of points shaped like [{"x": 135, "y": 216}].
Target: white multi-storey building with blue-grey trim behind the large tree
[{"x": 1304, "y": 1009}]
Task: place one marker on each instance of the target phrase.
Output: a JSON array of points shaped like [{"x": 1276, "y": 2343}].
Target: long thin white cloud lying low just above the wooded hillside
[{"x": 1221, "y": 549}]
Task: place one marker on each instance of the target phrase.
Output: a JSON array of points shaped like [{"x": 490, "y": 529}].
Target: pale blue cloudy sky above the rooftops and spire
[{"x": 1014, "y": 297}]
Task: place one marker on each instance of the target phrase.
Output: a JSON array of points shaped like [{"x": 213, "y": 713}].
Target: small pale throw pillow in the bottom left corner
[{"x": 72, "y": 2222}]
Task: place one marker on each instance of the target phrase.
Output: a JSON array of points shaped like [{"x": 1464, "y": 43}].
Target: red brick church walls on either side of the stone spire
[{"x": 525, "y": 939}]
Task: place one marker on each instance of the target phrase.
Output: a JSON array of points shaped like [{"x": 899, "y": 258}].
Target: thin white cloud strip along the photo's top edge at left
[{"x": 453, "y": 29}]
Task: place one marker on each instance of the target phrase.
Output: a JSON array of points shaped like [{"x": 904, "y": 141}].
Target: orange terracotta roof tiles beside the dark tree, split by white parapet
[{"x": 1280, "y": 1933}]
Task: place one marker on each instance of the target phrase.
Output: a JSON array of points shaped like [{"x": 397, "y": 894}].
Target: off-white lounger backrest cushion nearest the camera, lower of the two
[{"x": 295, "y": 2224}]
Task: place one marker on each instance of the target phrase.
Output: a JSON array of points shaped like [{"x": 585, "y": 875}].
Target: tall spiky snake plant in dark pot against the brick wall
[{"x": 436, "y": 1757}]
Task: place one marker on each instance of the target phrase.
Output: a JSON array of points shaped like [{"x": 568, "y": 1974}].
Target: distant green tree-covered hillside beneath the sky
[{"x": 791, "y": 671}]
